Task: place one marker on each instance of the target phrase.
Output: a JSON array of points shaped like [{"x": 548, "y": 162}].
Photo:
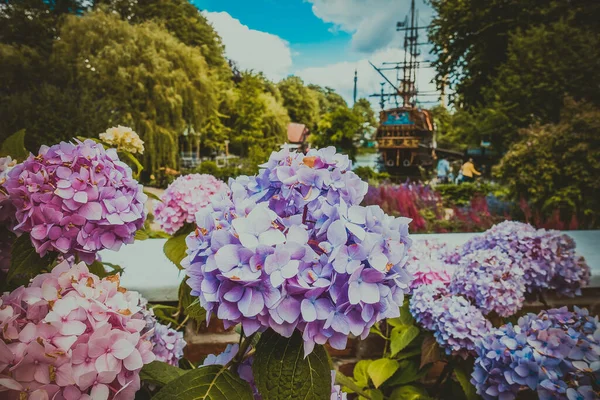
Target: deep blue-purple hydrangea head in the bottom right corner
[{"x": 555, "y": 353}]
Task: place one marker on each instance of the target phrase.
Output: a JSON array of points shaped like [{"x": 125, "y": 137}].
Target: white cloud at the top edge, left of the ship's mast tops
[{"x": 372, "y": 23}]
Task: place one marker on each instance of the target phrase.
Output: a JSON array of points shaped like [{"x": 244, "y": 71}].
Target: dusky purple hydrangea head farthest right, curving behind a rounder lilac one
[{"x": 547, "y": 257}]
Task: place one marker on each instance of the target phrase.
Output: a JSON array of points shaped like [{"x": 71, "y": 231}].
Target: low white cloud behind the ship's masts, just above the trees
[{"x": 340, "y": 76}]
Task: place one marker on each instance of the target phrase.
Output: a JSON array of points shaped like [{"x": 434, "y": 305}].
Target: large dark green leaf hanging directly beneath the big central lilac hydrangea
[{"x": 282, "y": 372}]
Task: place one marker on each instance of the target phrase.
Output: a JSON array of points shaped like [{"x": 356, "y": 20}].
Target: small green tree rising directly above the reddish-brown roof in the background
[{"x": 301, "y": 102}]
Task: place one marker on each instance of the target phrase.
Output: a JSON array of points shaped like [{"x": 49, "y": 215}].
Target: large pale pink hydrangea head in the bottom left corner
[{"x": 71, "y": 335}]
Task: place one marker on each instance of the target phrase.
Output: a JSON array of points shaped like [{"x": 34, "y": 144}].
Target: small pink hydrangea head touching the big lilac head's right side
[{"x": 428, "y": 262}]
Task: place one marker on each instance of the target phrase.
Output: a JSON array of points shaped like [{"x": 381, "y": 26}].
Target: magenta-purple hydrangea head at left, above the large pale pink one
[{"x": 76, "y": 198}]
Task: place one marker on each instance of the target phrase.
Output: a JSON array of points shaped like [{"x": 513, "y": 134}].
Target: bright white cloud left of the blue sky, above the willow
[{"x": 252, "y": 49}]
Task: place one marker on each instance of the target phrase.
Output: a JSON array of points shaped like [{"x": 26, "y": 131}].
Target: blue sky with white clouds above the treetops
[{"x": 322, "y": 41}]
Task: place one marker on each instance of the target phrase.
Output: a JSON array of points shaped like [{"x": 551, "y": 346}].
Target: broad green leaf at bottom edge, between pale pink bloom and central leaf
[{"x": 213, "y": 382}]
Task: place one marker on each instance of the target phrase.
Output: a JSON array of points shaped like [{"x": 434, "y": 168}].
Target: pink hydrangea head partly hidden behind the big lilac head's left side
[{"x": 183, "y": 198}]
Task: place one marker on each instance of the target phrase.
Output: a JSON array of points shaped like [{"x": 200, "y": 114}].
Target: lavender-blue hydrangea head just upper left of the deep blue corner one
[{"x": 458, "y": 325}]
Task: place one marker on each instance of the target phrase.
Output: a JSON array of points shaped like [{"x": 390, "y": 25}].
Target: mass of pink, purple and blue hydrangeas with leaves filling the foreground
[{"x": 292, "y": 259}]
